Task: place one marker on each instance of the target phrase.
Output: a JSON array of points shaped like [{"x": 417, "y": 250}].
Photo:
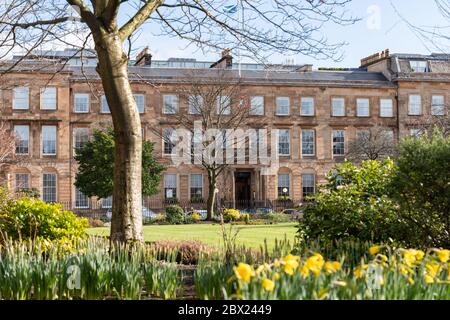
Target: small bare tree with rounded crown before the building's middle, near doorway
[{"x": 217, "y": 107}]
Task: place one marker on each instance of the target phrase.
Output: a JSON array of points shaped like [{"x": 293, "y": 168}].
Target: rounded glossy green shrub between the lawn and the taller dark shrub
[{"x": 359, "y": 208}]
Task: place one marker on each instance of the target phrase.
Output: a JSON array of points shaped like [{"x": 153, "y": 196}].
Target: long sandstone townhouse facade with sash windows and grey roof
[{"x": 53, "y": 107}]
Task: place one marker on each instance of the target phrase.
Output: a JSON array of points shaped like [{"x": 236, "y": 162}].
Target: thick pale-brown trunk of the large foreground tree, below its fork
[{"x": 126, "y": 223}]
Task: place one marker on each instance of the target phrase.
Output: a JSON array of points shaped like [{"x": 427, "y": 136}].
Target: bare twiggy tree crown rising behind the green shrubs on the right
[{"x": 372, "y": 144}]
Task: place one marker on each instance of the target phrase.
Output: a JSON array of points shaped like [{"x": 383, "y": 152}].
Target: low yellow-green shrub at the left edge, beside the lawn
[{"x": 31, "y": 219}]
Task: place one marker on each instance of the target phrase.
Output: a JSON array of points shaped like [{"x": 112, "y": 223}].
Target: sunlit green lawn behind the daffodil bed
[{"x": 250, "y": 235}]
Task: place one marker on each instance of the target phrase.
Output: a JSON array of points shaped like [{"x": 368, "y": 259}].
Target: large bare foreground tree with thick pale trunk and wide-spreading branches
[{"x": 277, "y": 26}]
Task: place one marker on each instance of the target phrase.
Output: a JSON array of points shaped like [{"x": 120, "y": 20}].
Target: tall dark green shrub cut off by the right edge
[{"x": 421, "y": 186}]
